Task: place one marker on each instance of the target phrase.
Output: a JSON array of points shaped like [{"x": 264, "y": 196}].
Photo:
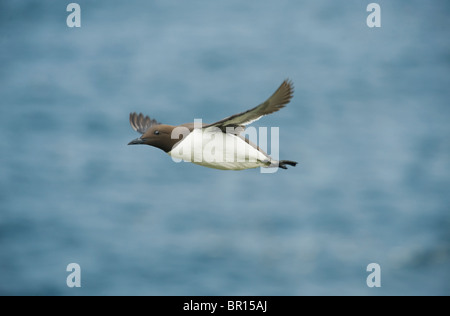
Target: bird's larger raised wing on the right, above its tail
[{"x": 278, "y": 100}]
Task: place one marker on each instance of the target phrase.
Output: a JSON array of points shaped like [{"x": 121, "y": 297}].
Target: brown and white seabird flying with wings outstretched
[{"x": 219, "y": 145}]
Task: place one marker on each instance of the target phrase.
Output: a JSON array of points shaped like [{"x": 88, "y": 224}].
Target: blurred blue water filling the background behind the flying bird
[{"x": 369, "y": 123}]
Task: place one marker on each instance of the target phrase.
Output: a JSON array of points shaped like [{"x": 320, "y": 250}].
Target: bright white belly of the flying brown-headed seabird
[{"x": 214, "y": 149}]
